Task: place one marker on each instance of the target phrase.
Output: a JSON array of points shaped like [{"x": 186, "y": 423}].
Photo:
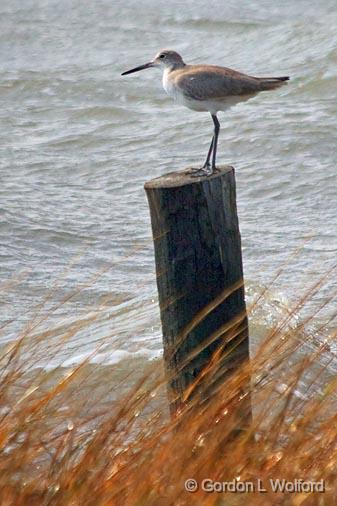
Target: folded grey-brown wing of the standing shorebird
[{"x": 211, "y": 82}]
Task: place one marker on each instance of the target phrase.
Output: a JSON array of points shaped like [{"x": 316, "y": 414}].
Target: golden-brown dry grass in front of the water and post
[{"x": 102, "y": 436}]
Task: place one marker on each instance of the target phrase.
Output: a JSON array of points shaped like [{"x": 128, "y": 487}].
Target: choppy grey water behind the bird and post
[{"x": 78, "y": 142}]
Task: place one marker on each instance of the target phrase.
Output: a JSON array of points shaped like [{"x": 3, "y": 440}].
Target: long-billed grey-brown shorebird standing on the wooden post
[{"x": 207, "y": 88}]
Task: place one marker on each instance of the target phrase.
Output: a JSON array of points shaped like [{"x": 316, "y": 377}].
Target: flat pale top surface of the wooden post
[{"x": 183, "y": 178}]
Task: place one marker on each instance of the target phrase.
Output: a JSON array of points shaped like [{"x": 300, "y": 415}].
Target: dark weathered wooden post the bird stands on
[{"x": 199, "y": 277}]
